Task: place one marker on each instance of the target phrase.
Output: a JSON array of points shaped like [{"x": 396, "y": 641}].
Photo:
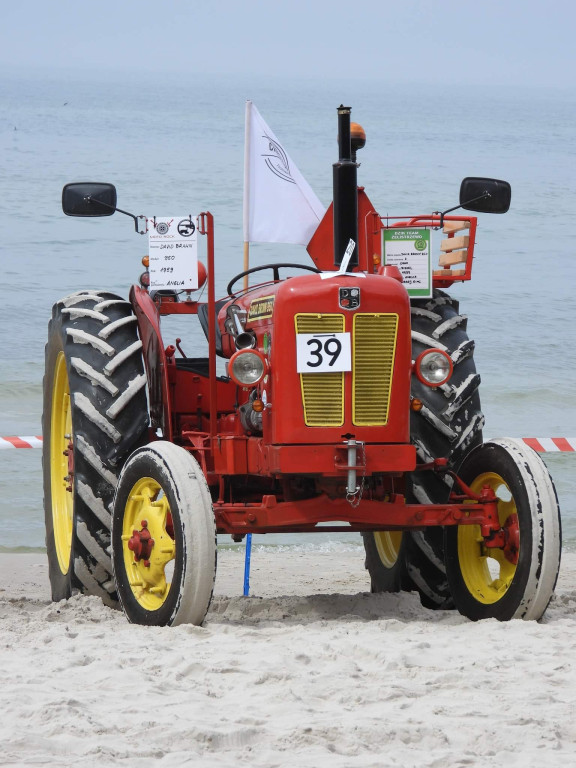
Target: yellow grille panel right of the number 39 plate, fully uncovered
[{"x": 374, "y": 346}]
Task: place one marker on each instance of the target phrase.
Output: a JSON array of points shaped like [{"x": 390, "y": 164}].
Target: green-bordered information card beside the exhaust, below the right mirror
[{"x": 409, "y": 250}]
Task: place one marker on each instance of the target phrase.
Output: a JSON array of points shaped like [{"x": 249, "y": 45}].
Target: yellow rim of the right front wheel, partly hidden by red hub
[{"x": 486, "y": 571}]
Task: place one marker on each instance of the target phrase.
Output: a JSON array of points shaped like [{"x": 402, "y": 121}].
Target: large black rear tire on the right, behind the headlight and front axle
[{"x": 449, "y": 425}]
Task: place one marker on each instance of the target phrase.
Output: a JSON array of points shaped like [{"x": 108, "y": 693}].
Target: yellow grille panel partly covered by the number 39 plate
[{"x": 322, "y": 393}]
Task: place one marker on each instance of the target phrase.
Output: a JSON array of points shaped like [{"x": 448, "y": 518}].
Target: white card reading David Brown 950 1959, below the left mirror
[{"x": 173, "y": 253}]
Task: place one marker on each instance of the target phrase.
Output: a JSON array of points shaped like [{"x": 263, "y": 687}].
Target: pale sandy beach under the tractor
[{"x": 311, "y": 671}]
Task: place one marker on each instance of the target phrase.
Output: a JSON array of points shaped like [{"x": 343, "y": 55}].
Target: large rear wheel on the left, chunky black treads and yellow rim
[{"x": 95, "y": 409}]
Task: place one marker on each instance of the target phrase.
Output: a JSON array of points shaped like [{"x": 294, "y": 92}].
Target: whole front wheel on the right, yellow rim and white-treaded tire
[{"x": 517, "y": 581}]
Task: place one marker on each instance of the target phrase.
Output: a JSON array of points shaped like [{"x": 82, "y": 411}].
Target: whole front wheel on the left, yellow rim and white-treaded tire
[{"x": 163, "y": 538}]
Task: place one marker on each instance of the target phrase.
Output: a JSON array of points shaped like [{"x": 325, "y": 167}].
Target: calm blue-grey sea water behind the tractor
[{"x": 175, "y": 146}]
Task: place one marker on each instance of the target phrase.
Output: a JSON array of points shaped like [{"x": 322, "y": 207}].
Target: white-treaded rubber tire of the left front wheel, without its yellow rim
[{"x": 184, "y": 484}]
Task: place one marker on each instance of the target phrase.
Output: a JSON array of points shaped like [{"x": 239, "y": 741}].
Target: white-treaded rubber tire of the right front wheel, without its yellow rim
[{"x": 533, "y": 586}]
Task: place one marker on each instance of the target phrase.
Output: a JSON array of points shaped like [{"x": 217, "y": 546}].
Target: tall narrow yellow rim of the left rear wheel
[{"x": 60, "y": 438}]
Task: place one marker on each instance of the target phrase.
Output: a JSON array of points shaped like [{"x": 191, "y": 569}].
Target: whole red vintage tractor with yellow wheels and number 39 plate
[{"x": 347, "y": 402}]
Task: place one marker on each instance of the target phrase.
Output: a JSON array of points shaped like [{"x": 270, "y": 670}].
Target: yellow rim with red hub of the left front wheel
[{"x": 149, "y": 579}]
